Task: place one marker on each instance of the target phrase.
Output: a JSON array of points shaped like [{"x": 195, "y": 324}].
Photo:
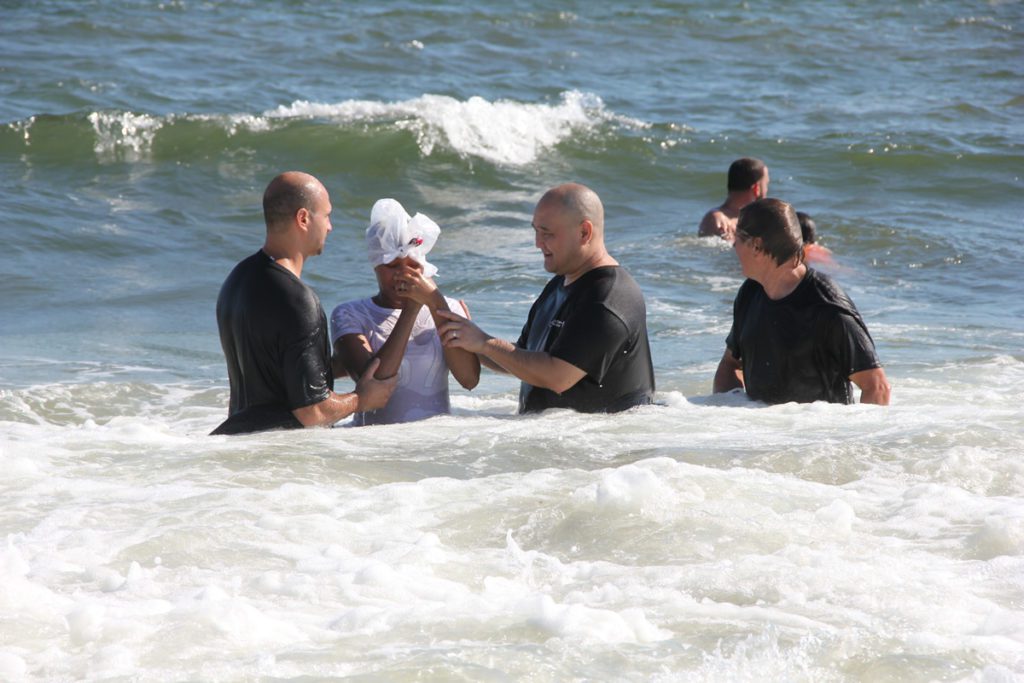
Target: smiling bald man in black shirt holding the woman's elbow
[{"x": 585, "y": 344}]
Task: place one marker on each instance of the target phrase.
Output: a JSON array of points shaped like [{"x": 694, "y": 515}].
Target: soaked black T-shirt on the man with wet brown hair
[{"x": 802, "y": 348}]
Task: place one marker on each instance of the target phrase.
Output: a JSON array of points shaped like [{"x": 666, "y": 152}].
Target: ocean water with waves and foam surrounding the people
[{"x": 702, "y": 539}]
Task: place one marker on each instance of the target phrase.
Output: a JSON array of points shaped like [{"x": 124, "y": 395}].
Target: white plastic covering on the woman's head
[{"x": 394, "y": 235}]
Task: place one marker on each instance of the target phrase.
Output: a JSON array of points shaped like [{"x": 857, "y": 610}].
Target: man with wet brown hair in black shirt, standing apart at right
[{"x": 796, "y": 336}]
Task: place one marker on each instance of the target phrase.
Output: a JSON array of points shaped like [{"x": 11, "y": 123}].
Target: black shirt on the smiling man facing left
[{"x": 600, "y": 325}]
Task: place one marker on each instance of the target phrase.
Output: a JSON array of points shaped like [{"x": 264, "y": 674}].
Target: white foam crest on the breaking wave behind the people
[{"x": 502, "y": 132}]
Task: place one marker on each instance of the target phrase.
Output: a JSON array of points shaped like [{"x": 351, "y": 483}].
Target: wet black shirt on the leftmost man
[{"x": 275, "y": 337}]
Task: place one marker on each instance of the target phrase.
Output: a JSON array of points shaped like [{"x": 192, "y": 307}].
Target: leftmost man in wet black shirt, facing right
[{"x": 273, "y": 329}]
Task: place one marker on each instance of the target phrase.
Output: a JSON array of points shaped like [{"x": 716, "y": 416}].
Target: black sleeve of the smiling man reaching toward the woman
[{"x": 591, "y": 340}]
